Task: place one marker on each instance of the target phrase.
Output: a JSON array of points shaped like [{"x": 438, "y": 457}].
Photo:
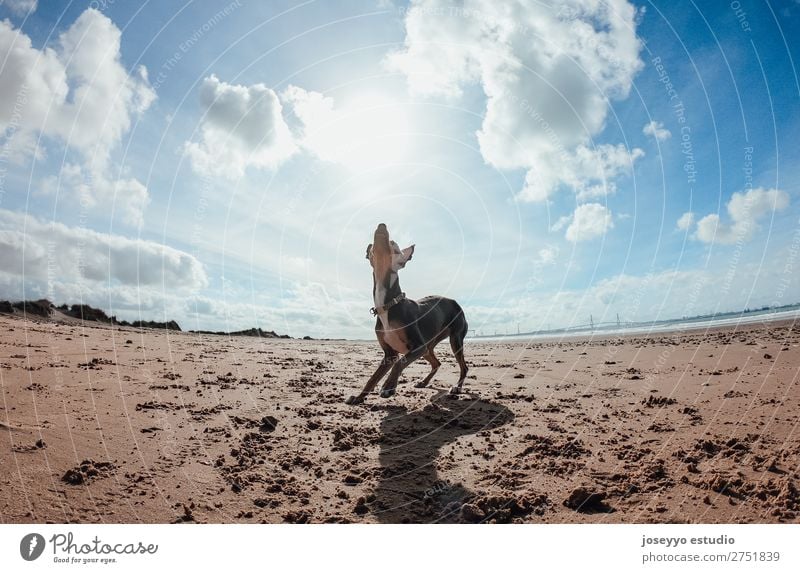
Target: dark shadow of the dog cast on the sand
[{"x": 410, "y": 489}]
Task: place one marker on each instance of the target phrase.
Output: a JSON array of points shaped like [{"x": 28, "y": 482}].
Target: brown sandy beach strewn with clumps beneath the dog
[{"x": 121, "y": 425}]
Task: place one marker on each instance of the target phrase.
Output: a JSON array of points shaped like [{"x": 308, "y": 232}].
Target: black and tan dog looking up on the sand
[{"x": 408, "y": 329}]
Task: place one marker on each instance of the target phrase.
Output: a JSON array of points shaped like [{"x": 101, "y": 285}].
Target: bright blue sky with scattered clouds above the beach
[{"x": 225, "y": 164}]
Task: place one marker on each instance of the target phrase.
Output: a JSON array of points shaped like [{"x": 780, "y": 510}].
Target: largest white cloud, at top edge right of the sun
[{"x": 547, "y": 72}]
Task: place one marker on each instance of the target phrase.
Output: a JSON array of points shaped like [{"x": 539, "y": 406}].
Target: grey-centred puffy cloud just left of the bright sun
[{"x": 242, "y": 126}]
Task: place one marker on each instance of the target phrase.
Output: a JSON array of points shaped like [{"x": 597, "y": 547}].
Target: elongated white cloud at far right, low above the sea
[{"x": 745, "y": 210}]
